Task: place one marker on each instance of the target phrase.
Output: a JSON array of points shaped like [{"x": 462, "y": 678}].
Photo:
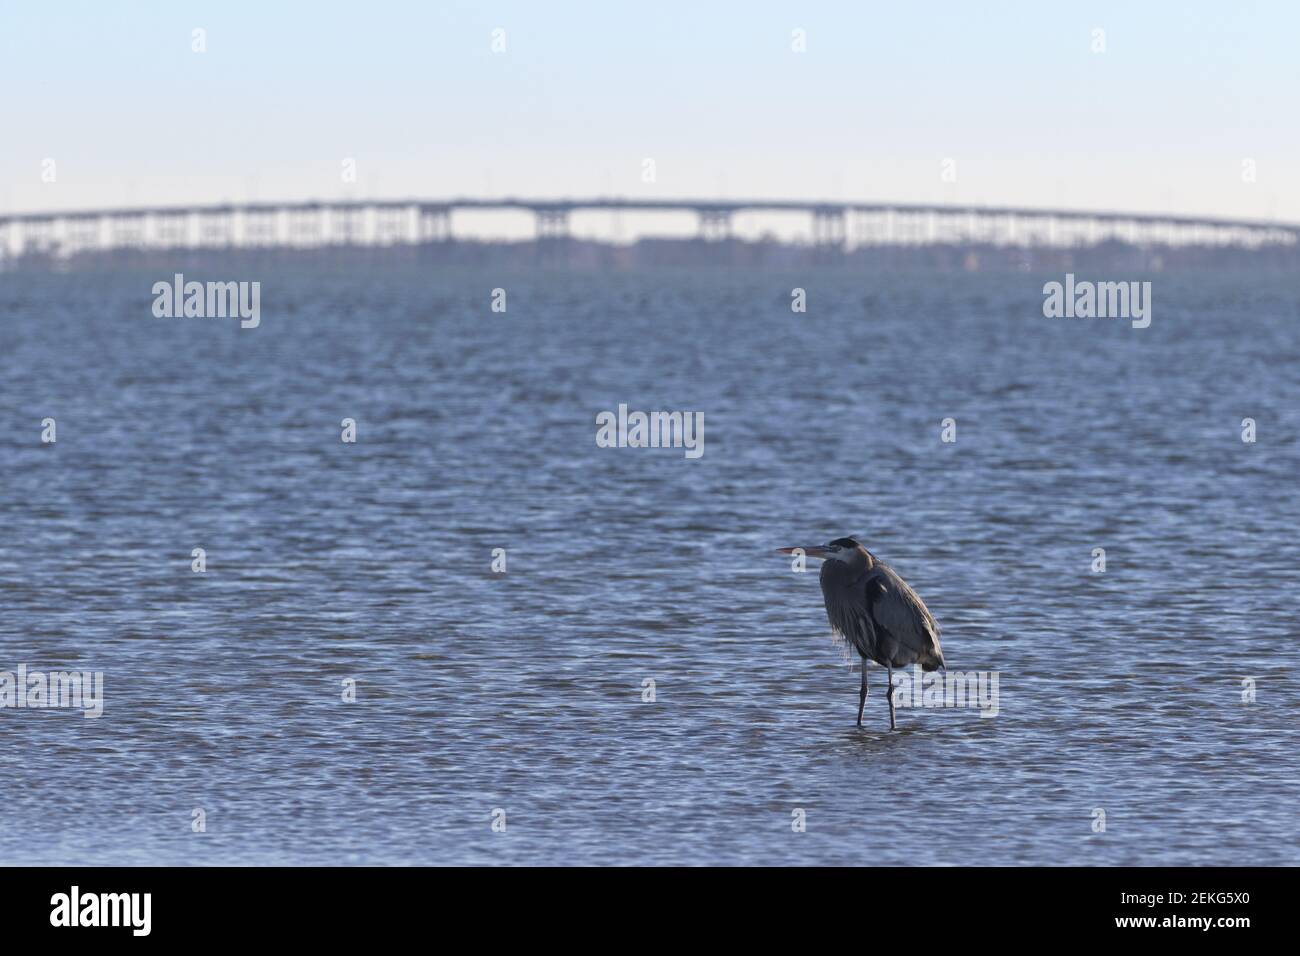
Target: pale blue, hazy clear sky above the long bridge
[{"x": 1190, "y": 109}]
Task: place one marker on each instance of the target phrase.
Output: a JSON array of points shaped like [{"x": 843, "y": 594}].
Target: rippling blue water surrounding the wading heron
[{"x": 523, "y": 693}]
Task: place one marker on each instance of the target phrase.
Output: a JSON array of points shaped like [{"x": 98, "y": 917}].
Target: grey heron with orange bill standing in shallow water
[{"x": 874, "y": 612}]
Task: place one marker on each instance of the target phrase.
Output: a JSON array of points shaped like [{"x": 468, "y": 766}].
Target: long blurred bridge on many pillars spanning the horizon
[{"x": 834, "y": 226}]
